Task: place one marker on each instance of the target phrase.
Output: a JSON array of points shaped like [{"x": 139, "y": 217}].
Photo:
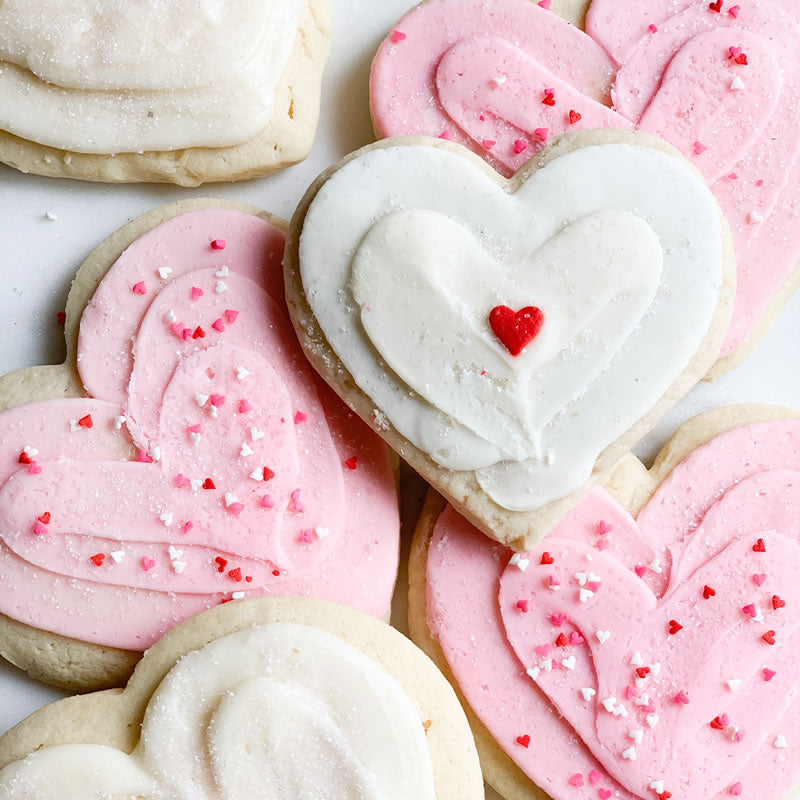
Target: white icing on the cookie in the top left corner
[{"x": 110, "y": 76}]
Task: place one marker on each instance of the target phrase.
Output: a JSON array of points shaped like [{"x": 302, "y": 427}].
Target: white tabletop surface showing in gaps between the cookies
[{"x": 38, "y": 257}]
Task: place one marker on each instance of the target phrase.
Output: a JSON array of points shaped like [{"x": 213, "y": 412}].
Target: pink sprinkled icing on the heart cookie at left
[{"x": 103, "y": 499}]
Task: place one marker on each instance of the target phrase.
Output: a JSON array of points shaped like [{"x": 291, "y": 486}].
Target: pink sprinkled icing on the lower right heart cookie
[{"x": 701, "y": 524}]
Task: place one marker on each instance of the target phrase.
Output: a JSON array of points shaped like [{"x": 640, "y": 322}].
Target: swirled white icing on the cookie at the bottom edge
[{"x": 283, "y": 711}]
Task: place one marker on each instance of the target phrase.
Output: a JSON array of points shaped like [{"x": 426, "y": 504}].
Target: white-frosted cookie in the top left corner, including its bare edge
[{"x": 175, "y": 92}]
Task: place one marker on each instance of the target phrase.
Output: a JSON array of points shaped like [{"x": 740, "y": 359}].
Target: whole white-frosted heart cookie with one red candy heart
[{"x": 511, "y": 339}]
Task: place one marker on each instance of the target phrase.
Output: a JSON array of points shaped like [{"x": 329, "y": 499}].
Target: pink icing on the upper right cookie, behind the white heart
[{"x": 675, "y": 82}]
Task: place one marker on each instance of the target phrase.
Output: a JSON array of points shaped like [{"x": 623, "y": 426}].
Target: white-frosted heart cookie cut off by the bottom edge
[{"x": 283, "y": 698}]
